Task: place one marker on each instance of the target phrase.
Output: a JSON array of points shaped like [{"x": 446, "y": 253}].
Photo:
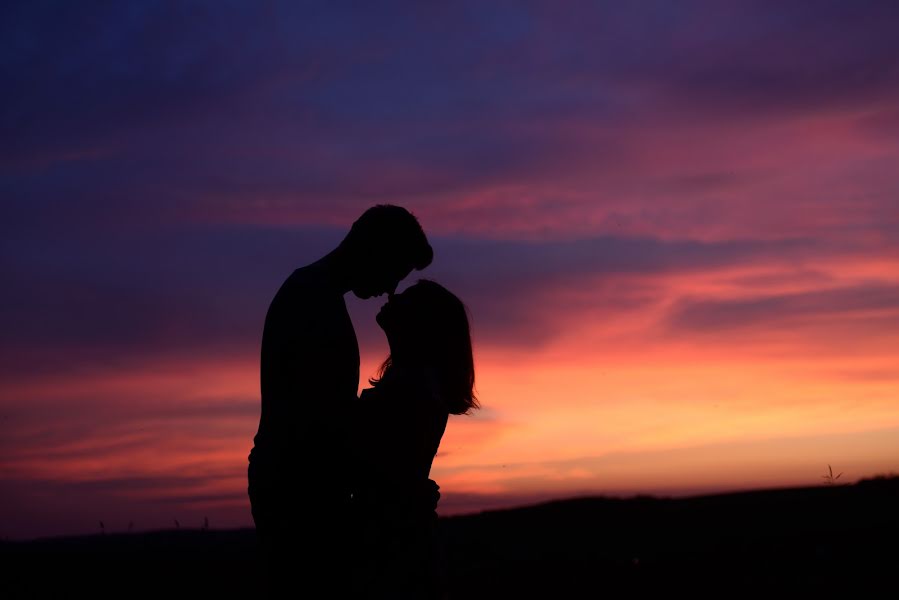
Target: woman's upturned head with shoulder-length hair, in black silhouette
[{"x": 427, "y": 327}]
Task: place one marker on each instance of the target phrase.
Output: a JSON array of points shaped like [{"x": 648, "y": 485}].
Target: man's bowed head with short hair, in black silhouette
[{"x": 382, "y": 248}]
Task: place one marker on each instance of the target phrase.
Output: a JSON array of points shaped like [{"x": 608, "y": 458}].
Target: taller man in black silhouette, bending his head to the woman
[{"x": 298, "y": 470}]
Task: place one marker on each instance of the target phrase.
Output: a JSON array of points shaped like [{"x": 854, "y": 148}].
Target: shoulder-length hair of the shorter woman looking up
[{"x": 439, "y": 334}]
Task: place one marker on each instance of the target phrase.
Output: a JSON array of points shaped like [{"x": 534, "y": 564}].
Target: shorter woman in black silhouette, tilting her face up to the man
[{"x": 398, "y": 424}]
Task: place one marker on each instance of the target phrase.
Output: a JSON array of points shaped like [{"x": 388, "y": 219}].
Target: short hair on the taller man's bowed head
[{"x": 392, "y": 230}]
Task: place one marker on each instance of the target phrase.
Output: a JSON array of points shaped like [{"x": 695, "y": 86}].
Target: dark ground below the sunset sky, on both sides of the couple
[{"x": 826, "y": 541}]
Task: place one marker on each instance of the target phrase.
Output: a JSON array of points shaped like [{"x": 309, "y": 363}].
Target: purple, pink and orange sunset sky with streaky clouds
[{"x": 675, "y": 224}]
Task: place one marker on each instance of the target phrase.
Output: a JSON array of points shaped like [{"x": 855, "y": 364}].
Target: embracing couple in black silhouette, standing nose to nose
[{"x": 339, "y": 484}]
